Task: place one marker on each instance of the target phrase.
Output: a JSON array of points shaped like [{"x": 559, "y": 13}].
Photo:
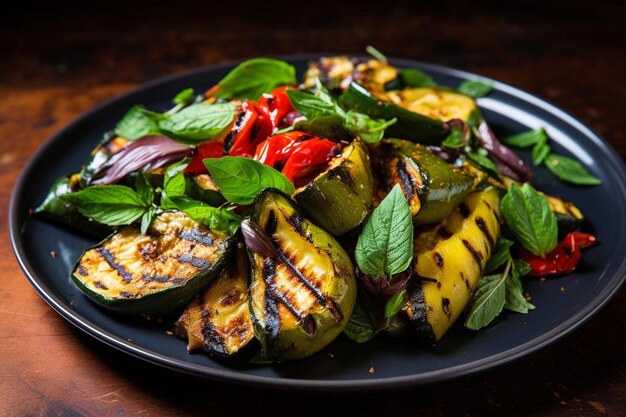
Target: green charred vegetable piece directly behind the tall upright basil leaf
[{"x": 432, "y": 187}]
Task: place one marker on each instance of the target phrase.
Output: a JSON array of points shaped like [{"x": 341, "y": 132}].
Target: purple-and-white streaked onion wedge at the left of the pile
[{"x": 147, "y": 152}]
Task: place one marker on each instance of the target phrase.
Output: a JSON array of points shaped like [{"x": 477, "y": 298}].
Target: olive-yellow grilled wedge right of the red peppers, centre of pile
[{"x": 340, "y": 198}]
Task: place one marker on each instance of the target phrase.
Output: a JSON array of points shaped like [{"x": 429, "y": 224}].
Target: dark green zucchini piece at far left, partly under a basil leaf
[{"x": 55, "y": 209}]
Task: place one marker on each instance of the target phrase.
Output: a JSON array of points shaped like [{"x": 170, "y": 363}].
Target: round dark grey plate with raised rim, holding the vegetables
[{"x": 343, "y": 365}]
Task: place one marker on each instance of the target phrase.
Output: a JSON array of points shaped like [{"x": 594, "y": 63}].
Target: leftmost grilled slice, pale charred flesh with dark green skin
[{"x": 154, "y": 273}]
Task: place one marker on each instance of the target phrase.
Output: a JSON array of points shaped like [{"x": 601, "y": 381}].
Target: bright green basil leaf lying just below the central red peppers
[{"x": 241, "y": 179}]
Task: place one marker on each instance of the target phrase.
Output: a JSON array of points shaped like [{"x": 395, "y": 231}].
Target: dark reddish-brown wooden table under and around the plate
[{"x": 58, "y": 63}]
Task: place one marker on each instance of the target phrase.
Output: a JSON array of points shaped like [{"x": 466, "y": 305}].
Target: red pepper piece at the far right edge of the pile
[{"x": 563, "y": 258}]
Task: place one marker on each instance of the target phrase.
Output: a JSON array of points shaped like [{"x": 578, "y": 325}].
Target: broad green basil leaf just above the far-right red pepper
[{"x": 528, "y": 215}]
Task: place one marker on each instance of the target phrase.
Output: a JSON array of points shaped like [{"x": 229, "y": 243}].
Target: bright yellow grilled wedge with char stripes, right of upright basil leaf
[{"x": 453, "y": 255}]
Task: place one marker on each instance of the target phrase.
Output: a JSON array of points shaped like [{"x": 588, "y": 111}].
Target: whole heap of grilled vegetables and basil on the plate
[{"x": 269, "y": 215}]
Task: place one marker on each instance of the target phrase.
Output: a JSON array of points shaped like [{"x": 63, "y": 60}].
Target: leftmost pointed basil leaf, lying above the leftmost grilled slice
[{"x": 112, "y": 205}]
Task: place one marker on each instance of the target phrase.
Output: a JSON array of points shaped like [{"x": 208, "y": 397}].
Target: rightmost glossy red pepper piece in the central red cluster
[{"x": 308, "y": 156}]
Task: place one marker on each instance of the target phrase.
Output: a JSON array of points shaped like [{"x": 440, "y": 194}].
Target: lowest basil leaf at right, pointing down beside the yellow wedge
[{"x": 489, "y": 300}]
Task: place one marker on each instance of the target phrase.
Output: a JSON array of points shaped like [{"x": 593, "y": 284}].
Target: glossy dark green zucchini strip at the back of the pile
[{"x": 409, "y": 125}]
